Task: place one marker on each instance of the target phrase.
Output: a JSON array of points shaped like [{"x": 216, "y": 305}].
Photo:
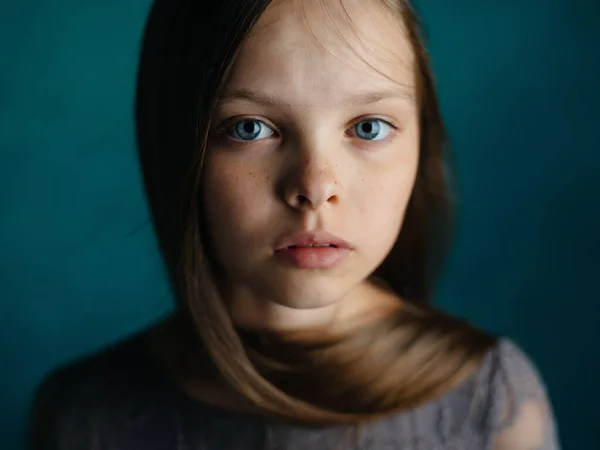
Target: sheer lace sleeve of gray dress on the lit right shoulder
[{"x": 524, "y": 419}]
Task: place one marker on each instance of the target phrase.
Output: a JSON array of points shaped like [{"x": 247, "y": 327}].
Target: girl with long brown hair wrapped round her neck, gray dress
[{"x": 293, "y": 152}]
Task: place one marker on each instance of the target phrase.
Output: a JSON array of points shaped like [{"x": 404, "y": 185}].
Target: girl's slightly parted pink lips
[{"x": 313, "y": 251}]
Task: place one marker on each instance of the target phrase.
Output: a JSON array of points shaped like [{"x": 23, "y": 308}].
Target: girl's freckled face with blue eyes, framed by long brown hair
[{"x": 315, "y": 140}]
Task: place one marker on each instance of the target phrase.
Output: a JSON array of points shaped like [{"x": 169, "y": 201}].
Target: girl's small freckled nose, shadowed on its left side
[{"x": 311, "y": 183}]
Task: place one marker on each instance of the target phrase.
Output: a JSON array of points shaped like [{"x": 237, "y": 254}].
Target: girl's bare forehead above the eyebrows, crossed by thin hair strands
[{"x": 315, "y": 52}]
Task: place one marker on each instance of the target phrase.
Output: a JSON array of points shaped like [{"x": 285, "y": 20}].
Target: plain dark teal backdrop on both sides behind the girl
[{"x": 519, "y": 83}]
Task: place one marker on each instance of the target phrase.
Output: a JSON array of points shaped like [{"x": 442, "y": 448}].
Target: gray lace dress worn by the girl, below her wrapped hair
[{"x": 120, "y": 401}]
